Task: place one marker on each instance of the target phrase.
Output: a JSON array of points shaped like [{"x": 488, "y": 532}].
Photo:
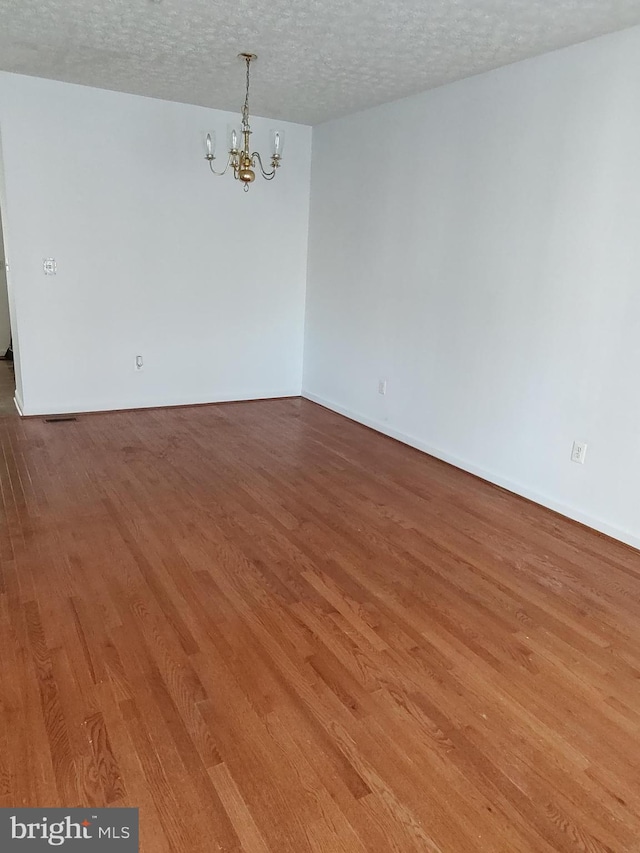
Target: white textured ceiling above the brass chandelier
[{"x": 317, "y": 59}]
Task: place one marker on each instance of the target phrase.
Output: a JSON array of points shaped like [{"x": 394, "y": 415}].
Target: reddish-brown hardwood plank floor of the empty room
[{"x": 274, "y": 630}]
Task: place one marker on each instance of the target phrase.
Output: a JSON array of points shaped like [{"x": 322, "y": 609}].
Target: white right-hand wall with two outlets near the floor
[{"x": 479, "y": 247}]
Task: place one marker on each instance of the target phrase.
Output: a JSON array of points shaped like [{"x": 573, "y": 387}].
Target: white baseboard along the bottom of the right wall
[{"x": 544, "y": 500}]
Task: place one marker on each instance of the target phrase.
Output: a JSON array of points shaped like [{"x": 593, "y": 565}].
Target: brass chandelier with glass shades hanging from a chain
[{"x": 241, "y": 161}]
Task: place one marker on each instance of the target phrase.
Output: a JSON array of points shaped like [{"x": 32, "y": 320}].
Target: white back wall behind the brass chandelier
[{"x": 155, "y": 256}]
